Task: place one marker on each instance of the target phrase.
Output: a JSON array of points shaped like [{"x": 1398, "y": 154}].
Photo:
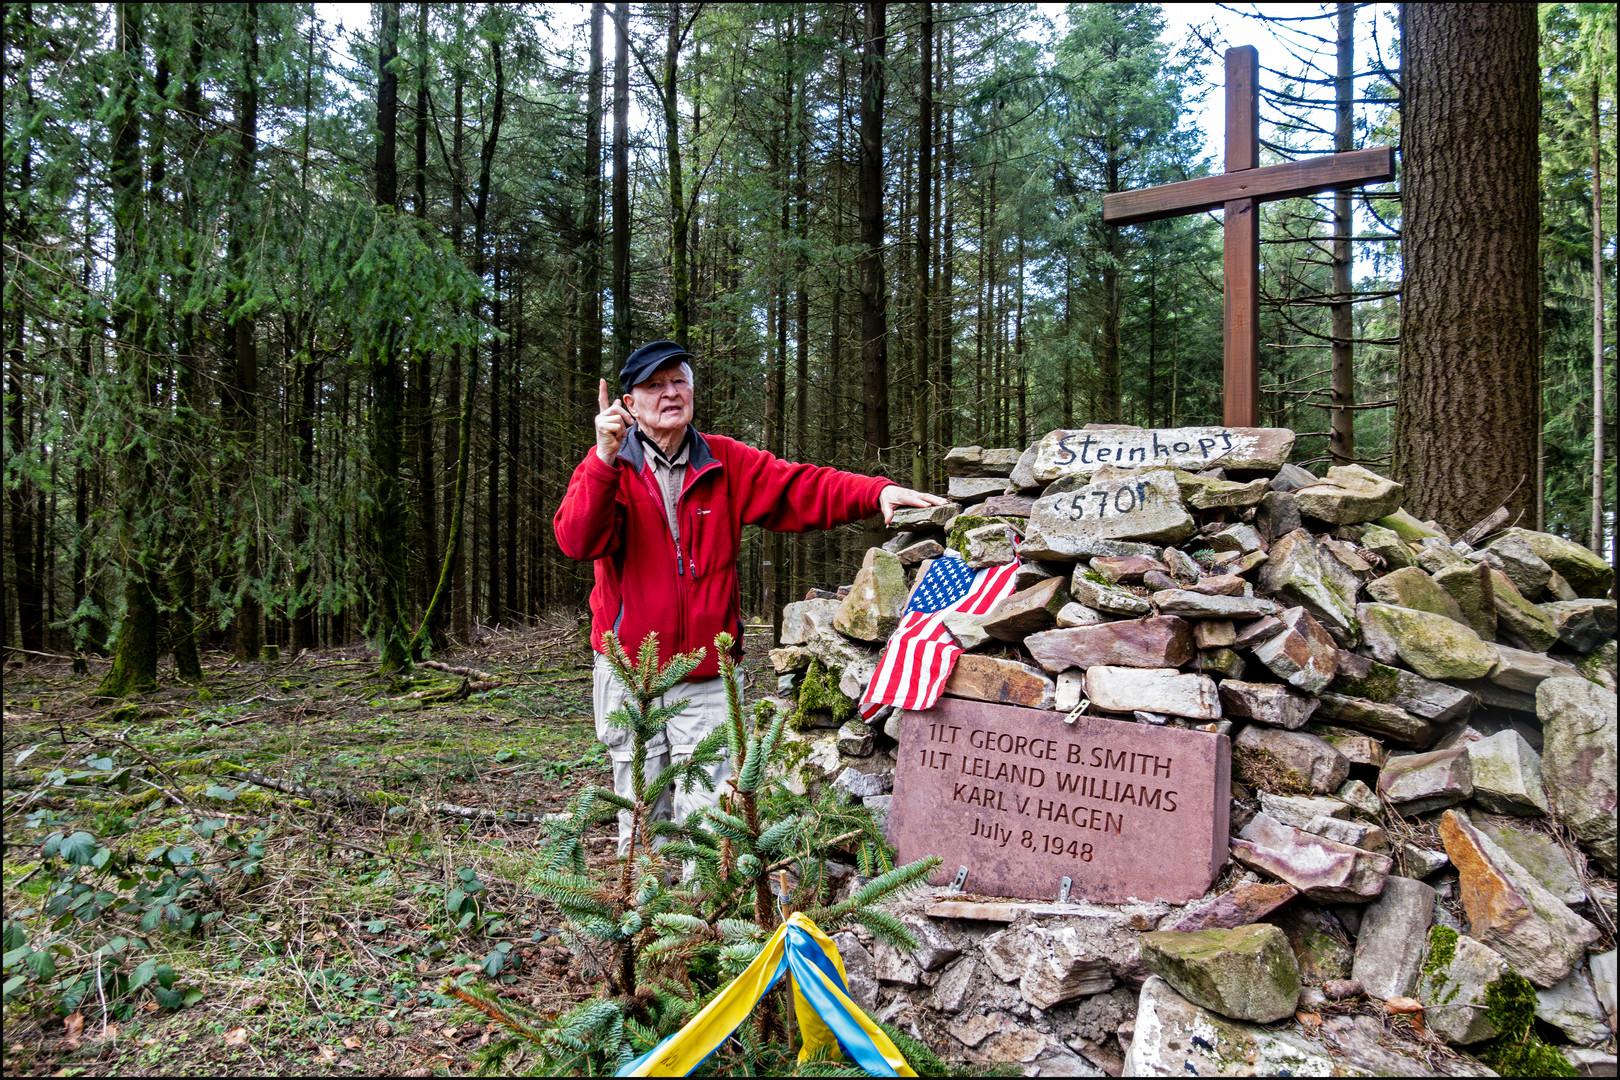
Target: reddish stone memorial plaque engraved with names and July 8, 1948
[{"x": 1025, "y": 799}]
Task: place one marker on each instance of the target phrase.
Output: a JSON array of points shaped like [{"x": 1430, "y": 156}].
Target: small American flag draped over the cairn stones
[{"x": 921, "y": 653}]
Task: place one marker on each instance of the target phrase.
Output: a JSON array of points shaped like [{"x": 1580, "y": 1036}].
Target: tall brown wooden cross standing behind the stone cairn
[{"x": 1240, "y": 192}]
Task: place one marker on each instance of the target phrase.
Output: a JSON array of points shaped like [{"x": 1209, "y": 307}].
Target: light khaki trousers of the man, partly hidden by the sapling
[{"x": 704, "y": 713}]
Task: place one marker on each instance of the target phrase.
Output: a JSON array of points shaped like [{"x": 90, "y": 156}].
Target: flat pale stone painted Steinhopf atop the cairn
[{"x": 1195, "y": 449}]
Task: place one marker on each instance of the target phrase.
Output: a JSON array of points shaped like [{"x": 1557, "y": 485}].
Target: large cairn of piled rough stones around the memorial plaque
[{"x": 1423, "y": 734}]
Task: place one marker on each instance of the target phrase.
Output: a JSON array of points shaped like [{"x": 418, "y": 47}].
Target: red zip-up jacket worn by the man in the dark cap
[{"x": 615, "y": 516}]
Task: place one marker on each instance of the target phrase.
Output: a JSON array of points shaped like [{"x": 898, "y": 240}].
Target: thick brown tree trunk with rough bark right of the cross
[{"x": 1465, "y": 435}]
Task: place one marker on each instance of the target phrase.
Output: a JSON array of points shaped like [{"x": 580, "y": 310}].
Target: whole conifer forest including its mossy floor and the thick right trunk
[{"x": 305, "y": 315}]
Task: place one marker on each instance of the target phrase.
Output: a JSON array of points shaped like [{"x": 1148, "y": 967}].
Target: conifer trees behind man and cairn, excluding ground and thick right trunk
[{"x": 304, "y": 326}]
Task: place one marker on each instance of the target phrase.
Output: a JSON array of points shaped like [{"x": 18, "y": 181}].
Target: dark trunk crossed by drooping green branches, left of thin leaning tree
[{"x": 388, "y": 393}]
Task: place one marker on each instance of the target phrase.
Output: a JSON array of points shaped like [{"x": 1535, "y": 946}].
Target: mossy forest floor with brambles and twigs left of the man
[{"x": 257, "y": 932}]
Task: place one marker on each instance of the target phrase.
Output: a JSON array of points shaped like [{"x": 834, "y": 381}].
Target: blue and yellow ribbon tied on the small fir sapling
[{"x": 827, "y": 1014}]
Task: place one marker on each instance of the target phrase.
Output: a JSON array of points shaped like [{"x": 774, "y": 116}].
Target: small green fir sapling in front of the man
[{"x": 667, "y": 950}]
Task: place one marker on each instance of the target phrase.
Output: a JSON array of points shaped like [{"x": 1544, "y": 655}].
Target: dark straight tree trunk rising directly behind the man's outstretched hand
[{"x": 874, "y": 317}]
